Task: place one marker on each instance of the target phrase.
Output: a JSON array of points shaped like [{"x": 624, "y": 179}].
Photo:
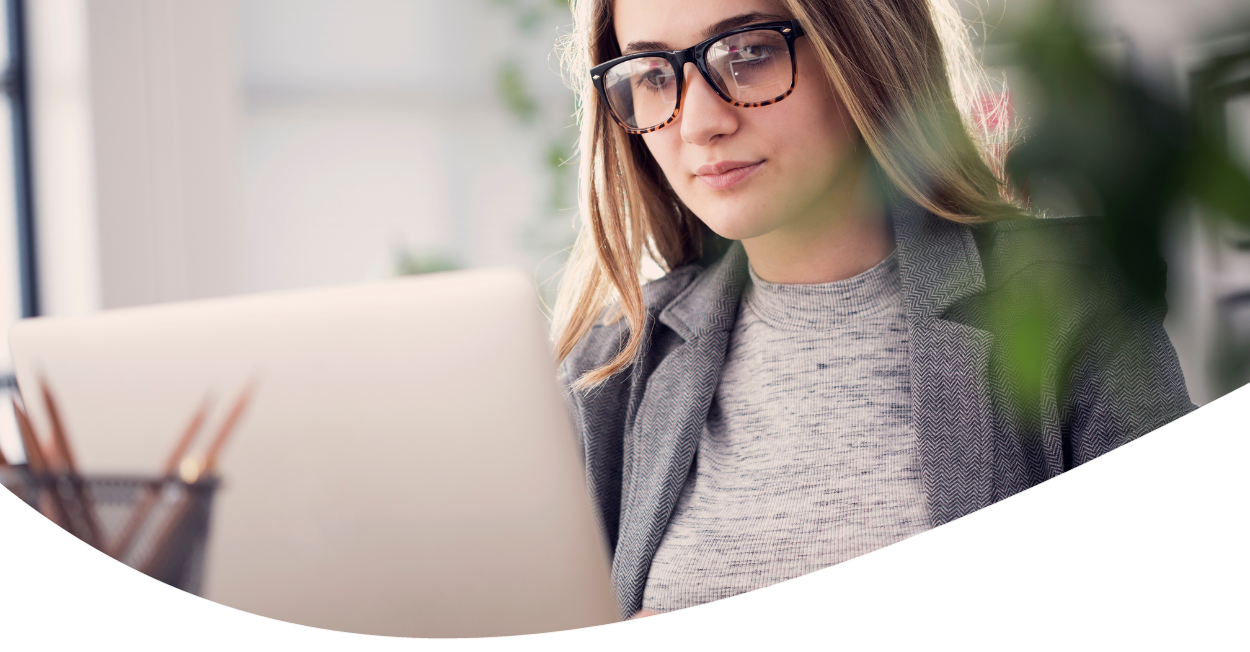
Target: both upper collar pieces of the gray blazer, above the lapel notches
[{"x": 939, "y": 265}]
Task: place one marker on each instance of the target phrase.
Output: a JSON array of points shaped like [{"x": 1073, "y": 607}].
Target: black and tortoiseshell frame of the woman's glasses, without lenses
[{"x": 698, "y": 56}]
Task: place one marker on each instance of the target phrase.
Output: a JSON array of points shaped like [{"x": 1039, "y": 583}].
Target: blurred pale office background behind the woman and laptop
[{"x": 193, "y": 149}]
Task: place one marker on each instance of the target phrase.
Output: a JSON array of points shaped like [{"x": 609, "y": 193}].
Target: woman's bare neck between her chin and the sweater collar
[{"x": 846, "y": 235}]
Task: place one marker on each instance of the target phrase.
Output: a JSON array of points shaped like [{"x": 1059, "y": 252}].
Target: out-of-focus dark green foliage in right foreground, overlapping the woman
[{"x": 1143, "y": 157}]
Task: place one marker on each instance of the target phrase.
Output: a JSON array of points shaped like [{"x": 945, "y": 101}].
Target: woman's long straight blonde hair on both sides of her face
[{"x": 908, "y": 77}]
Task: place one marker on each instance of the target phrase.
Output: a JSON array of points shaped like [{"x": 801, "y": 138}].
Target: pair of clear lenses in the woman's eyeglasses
[{"x": 751, "y": 67}]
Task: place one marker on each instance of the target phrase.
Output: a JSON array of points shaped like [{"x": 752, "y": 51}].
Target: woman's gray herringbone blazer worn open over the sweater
[{"x": 1111, "y": 374}]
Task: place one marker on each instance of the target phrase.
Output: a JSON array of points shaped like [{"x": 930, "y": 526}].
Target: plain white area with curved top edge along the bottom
[{"x": 1144, "y": 546}]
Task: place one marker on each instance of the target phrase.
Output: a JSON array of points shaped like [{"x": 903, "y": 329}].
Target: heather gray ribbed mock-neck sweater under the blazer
[{"x": 808, "y": 458}]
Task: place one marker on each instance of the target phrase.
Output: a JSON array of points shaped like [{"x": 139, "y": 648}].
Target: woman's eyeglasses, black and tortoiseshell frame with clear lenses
[{"x": 747, "y": 67}]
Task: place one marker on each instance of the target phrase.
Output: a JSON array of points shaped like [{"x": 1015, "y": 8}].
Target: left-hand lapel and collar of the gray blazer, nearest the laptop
[{"x": 671, "y": 419}]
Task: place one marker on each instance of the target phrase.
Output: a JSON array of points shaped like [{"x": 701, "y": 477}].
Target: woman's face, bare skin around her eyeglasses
[{"x": 746, "y": 173}]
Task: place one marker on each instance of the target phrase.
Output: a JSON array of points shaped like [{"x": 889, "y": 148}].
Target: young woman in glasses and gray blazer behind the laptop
[{"x": 831, "y": 364}]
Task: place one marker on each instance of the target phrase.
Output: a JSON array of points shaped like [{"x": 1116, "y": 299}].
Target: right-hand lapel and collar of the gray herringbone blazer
[{"x": 939, "y": 265}]
